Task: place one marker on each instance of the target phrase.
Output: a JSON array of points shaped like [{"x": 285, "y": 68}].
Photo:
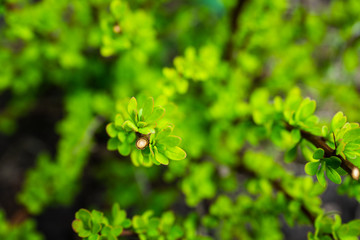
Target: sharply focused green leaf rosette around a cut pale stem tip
[{"x": 140, "y": 135}]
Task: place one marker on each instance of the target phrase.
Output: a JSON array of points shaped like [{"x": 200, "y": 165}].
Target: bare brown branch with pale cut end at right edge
[{"x": 320, "y": 142}]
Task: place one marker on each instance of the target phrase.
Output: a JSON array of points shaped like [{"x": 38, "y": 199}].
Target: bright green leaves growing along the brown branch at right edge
[{"x": 294, "y": 117}]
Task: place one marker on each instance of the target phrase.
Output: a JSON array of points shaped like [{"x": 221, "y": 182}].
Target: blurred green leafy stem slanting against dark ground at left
[{"x": 56, "y": 181}]
